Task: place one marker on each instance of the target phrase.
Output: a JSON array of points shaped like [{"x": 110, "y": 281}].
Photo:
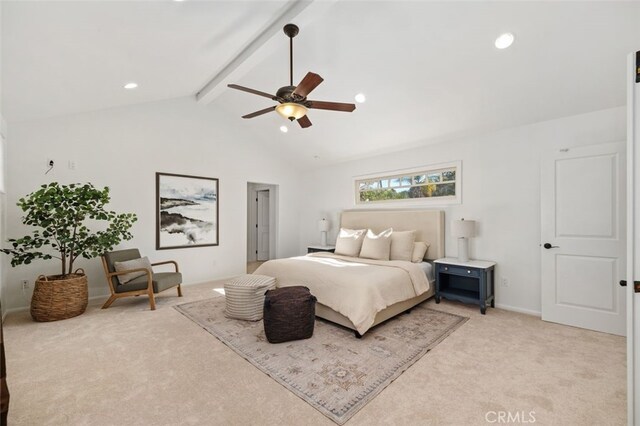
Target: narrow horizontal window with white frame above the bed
[{"x": 439, "y": 183}]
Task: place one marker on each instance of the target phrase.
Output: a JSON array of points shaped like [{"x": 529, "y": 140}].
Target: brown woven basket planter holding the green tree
[{"x": 55, "y": 298}]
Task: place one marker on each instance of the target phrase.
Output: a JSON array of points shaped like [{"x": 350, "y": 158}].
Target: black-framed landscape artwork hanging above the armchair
[{"x": 186, "y": 211}]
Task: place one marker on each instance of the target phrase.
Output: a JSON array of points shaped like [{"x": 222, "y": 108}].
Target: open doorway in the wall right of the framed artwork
[{"x": 261, "y": 223}]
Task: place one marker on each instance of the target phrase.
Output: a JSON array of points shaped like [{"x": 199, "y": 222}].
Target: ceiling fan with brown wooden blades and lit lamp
[{"x": 293, "y": 102}]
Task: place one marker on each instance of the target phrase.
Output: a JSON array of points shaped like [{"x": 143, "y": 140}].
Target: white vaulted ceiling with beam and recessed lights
[{"x": 429, "y": 70}]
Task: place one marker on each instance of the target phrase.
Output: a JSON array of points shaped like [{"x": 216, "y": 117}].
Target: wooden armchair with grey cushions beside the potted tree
[{"x": 137, "y": 277}]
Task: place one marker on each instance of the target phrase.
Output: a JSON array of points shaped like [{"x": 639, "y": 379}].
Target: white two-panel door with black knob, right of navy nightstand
[{"x": 583, "y": 238}]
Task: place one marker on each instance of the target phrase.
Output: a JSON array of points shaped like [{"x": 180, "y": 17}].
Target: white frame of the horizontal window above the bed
[{"x": 422, "y": 170}]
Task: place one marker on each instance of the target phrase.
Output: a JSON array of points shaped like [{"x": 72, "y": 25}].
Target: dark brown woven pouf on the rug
[{"x": 289, "y": 314}]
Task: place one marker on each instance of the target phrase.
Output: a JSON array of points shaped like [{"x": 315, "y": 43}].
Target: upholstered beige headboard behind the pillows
[{"x": 429, "y": 225}]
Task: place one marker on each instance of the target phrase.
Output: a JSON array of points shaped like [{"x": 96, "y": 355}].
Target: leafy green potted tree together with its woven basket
[{"x": 62, "y": 214}]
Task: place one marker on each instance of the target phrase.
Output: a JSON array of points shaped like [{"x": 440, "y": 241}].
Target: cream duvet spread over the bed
[{"x": 356, "y": 288}]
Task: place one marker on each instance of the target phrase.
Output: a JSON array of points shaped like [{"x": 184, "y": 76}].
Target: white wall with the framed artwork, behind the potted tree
[{"x": 123, "y": 148}]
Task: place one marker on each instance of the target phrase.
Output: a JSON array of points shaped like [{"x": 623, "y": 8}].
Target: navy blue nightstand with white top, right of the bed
[{"x": 468, "y": 282}]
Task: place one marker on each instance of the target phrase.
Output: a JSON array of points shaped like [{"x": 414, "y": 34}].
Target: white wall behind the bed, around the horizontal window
[{"x": 500, "y": 189}]
